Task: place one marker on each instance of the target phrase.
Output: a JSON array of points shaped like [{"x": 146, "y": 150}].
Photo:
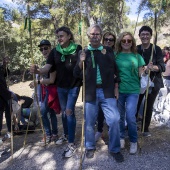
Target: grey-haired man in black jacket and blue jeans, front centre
[{"x": 101, "y": 79}]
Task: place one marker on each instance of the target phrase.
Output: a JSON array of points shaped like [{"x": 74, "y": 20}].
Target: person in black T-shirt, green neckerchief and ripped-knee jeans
[{"x": 64, "y": 57}]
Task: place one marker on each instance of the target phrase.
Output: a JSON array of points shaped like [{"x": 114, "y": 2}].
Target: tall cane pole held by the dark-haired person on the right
[{"x": 147, "y": 90}]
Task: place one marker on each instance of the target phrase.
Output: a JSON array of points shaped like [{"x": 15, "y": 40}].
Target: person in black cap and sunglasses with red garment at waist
[{"x": 47, "y": 84}]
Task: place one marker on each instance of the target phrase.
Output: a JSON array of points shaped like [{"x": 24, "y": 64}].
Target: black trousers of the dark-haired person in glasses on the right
[{"x": 149, "y": 109}]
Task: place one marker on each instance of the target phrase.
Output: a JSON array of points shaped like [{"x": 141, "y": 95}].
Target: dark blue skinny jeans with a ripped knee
[{"x": 67, "y": 99}]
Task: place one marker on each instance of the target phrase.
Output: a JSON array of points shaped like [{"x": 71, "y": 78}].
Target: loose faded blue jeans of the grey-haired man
[{"x": 109, "y": 107}]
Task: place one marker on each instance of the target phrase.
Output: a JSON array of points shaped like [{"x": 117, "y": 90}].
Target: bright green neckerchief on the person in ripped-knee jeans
[{"x": 71, "y": 49}]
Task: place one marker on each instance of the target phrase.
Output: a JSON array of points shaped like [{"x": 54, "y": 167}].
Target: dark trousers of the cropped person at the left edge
[{"x": 7, "y": 116}]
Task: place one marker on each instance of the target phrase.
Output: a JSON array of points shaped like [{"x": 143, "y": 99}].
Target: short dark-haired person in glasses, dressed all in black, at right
[{"x": 156, "y": 66}]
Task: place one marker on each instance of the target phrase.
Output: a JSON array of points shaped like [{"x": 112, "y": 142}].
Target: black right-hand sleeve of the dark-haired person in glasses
[{"x": 159, "y": 59}]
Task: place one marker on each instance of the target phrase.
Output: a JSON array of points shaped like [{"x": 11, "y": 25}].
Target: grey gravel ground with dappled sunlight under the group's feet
[{"x": 154, "y": 153}]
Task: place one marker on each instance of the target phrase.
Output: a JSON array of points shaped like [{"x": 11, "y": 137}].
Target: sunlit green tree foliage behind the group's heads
[{"x": 48, "y": 15}]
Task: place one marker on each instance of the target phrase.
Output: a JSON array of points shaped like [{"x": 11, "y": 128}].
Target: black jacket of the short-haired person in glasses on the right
[{"x": 157, "y": 60}]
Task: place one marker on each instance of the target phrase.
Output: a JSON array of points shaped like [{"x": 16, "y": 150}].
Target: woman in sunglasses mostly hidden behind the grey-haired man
[{"x": 109, "y": 40}]
